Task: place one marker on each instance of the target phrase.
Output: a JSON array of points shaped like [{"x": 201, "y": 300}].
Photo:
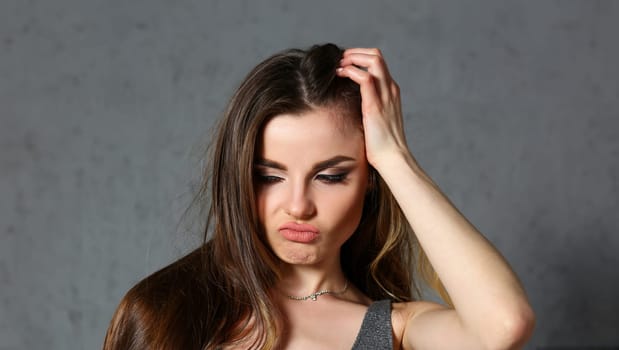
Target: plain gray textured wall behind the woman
[{"x": 513, "y": 108}]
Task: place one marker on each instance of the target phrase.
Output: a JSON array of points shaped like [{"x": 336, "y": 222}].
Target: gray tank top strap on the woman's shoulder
[{"x": 376, "y": 332}]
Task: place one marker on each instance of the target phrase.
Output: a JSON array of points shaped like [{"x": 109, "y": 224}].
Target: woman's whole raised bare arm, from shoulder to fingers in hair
[{"x": 491, "y": 308}]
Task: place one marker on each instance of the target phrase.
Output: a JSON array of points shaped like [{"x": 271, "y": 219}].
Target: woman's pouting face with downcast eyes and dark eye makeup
[{"x": 311, "y": 177}]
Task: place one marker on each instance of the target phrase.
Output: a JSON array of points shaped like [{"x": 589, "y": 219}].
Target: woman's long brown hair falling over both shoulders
[{"x": 219, "y": 294}]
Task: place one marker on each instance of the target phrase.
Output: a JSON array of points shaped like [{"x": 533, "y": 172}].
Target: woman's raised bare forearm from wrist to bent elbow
[{"x": 486, "y": 293}]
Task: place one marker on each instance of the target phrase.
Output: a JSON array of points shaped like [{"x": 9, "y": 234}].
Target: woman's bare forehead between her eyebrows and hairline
[{"x": 312, "y": 135}]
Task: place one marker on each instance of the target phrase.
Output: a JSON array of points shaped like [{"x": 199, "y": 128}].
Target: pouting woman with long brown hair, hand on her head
[{"x": 317, "y": 208}]
